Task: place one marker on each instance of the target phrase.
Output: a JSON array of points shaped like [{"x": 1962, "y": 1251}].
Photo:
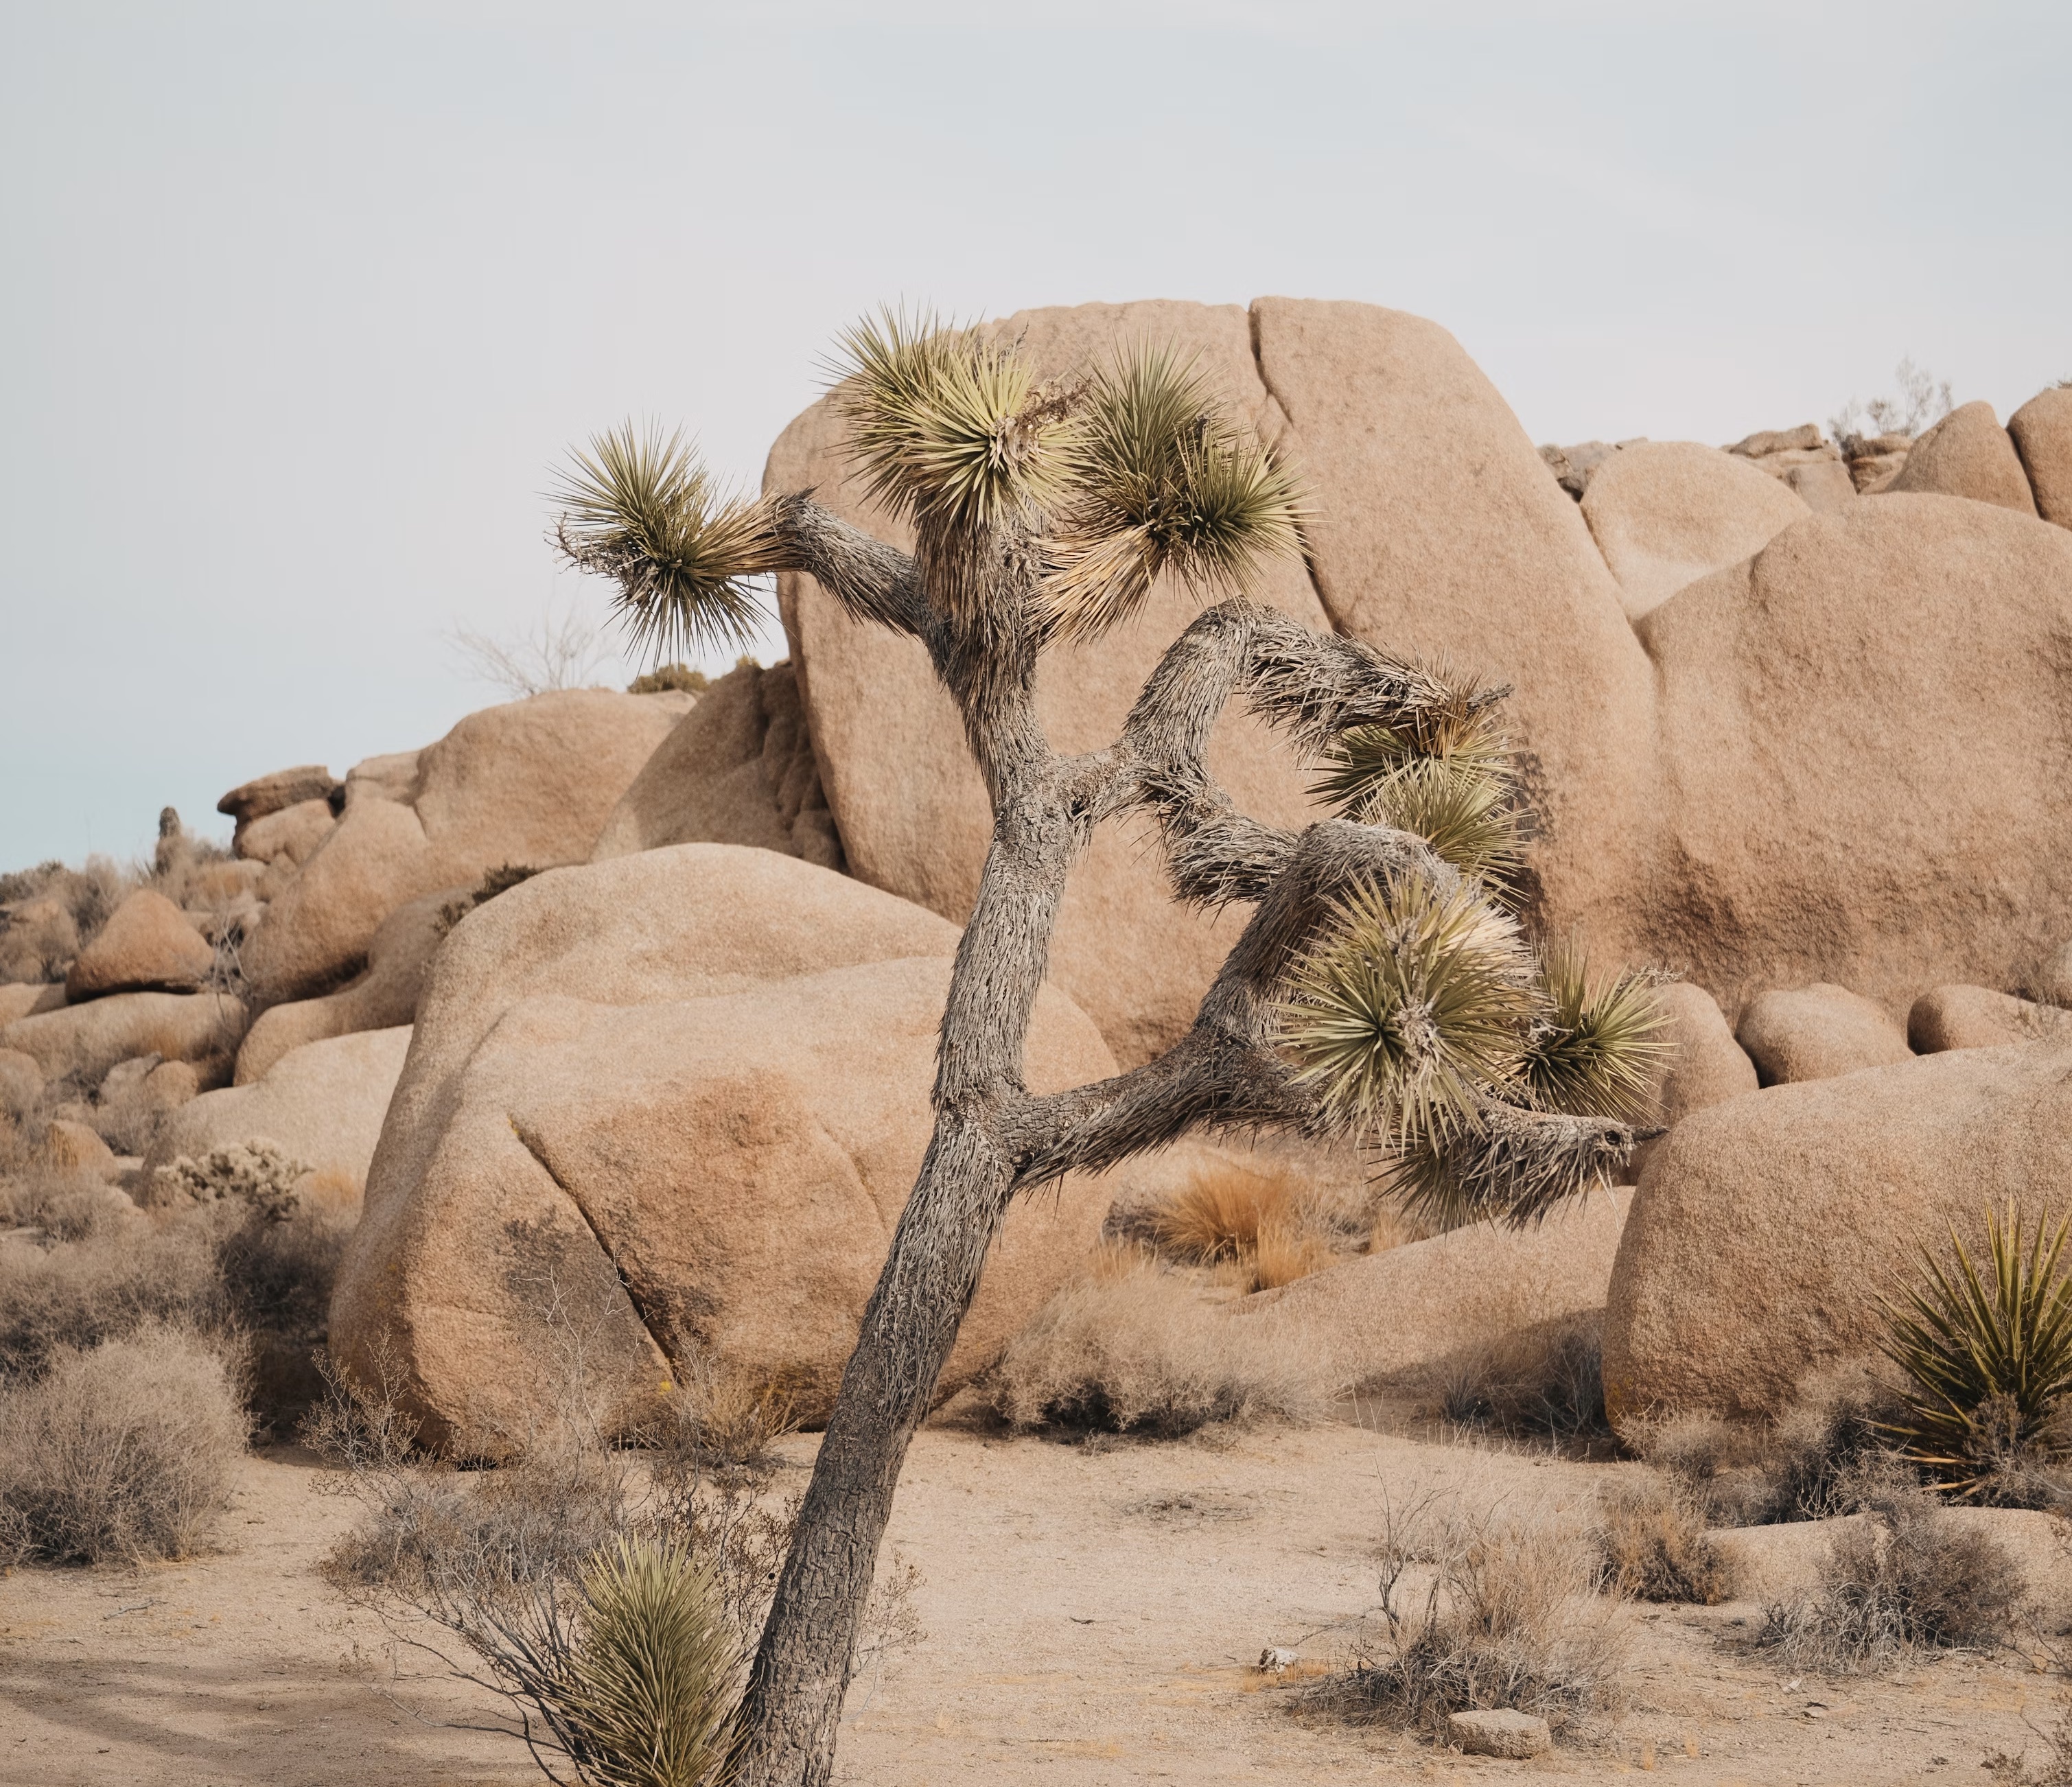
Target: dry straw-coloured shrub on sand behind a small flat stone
[{"x": 1487, "y": 1608}]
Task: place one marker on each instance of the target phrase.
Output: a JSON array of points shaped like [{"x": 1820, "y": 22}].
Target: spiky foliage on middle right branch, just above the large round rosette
[{"x": 1445, "y": 775}]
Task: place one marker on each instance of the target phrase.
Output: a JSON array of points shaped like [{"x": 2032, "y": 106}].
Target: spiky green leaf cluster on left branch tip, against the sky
[{"x": 647, "y": 515}]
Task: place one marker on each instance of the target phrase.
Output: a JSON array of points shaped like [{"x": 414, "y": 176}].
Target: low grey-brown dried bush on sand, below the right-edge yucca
[{"x": 1905, "y": 1579}]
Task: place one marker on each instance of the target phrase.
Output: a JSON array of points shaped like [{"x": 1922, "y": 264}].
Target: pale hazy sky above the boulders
[{"x": 304, "y": 301}]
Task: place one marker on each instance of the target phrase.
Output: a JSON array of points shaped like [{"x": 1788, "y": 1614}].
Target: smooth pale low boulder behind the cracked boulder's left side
[{"x": 322, "y": 1103}]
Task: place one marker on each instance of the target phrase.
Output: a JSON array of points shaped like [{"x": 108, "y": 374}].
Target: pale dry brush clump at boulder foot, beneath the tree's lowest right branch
[{"x": 1139, "y": 1349}]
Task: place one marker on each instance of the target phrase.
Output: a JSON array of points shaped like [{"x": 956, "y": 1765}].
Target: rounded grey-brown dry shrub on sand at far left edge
[{"x": 123, "y": 1453}]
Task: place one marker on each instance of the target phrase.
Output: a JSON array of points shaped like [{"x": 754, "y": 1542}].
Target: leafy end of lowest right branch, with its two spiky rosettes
[{"x": 1497, "y": 1086}]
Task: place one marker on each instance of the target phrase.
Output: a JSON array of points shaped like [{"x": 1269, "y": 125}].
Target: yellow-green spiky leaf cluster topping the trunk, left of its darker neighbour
[{"x": 950, "y": 428}]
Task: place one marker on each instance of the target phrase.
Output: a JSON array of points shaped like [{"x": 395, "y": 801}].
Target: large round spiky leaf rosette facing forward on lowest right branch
[{"x": 1408, "y": 1009}]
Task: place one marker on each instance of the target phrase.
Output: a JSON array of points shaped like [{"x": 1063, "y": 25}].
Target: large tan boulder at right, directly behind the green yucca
[{"x": 1766, "y": 1229}]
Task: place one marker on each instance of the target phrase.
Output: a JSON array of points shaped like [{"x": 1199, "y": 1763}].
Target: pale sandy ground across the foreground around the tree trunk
[{"x": 1091, "y": 1620}]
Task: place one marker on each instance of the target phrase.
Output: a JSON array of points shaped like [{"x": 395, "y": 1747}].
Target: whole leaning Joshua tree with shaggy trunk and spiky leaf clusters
[{"x": 1381, "y": 989}]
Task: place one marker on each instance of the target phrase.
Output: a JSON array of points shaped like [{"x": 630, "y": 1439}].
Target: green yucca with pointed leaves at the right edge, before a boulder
[{"x": 1988, "y": 1355}]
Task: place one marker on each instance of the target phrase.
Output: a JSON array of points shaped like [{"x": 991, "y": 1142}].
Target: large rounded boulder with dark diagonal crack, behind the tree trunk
[{"x": 685, "y": 1092}]
